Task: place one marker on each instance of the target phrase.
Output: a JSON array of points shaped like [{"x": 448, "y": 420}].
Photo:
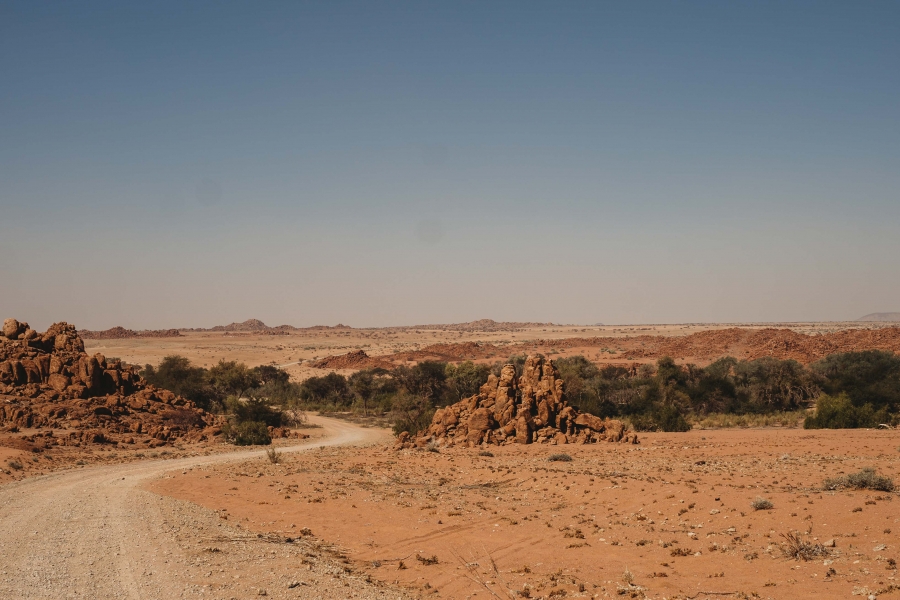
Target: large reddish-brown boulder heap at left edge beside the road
[{"x": 48, "y": 381}]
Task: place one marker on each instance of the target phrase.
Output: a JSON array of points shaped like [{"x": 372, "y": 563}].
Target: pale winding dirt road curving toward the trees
[{"x": 95, "y": 533}]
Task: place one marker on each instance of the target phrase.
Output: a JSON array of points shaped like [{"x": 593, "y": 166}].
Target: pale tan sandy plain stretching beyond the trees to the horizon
[{"x": 291, "y": 351}]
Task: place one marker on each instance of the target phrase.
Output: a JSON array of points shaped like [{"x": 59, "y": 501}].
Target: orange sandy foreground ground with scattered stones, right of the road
[{"x": 670, "y": 518}]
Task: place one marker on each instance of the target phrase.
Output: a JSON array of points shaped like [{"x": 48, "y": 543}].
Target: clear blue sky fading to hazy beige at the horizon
[{"x": 177, "y": 164}]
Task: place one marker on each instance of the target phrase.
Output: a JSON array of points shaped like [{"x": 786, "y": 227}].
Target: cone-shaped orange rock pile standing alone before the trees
[{"x": 518, "y": 409}]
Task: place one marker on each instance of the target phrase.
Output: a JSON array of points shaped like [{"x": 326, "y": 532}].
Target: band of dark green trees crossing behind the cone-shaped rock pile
[{"x": 852, "y": 389}]
